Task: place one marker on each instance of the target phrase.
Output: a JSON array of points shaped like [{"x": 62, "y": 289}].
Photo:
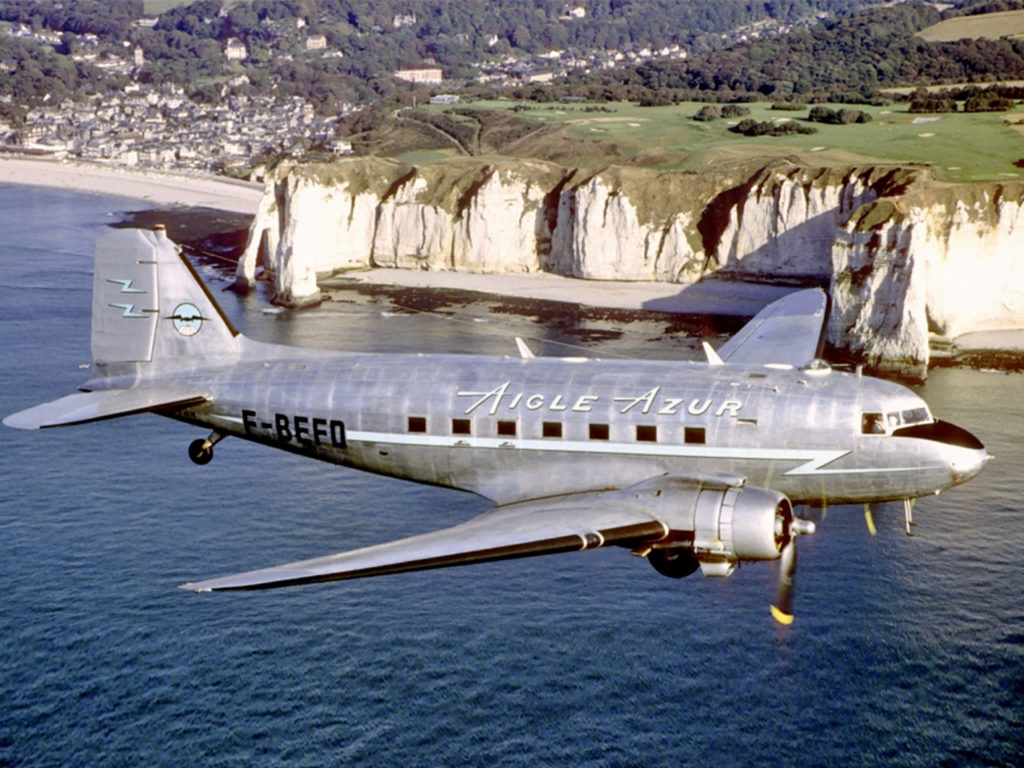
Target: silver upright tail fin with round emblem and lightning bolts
[{"x": 151, "y": 312}]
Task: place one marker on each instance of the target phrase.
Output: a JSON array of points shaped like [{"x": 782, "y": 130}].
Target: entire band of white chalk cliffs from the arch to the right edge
[{"x": 899, "y": 252}]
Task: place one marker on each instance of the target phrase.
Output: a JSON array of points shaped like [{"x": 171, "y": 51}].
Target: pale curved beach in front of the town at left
[{"x": 152, "y": 187}]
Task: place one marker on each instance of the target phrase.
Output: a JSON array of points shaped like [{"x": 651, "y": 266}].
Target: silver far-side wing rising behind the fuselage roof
[{"x": 787, "y": 332}]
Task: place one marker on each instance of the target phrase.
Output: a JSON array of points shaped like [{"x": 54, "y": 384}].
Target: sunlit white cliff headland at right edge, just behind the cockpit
[{"x": 944, "y": 261}]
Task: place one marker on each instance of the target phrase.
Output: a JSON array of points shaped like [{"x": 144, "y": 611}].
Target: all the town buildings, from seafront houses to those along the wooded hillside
[{"x": 158, "y": 126}]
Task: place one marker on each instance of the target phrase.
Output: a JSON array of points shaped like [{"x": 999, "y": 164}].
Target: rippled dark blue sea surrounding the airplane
[{"x": 907, "y": 652}]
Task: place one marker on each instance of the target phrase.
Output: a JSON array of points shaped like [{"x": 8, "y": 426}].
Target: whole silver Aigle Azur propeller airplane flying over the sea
[{"x": 688, "y": 464}]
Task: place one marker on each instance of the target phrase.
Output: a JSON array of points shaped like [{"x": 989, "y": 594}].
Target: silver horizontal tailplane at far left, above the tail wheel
[{"x": 109, "y": 404}]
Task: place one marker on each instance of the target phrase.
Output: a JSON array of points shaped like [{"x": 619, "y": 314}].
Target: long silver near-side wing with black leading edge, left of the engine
[{"x": 544, "y": 527}]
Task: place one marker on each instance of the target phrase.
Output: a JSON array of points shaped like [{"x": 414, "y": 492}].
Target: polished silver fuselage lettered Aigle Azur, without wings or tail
[{"x": 513, "y": 430}]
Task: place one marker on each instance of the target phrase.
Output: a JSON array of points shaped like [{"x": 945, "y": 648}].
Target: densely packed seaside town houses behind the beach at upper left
[{"x": 159, "y": 126}]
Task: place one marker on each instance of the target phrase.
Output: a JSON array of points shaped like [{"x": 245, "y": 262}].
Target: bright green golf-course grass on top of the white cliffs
[{"x": 960, "y": 147}]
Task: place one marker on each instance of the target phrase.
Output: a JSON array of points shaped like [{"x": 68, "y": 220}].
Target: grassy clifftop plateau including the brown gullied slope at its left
[{"x": 959, "y": 147}]
